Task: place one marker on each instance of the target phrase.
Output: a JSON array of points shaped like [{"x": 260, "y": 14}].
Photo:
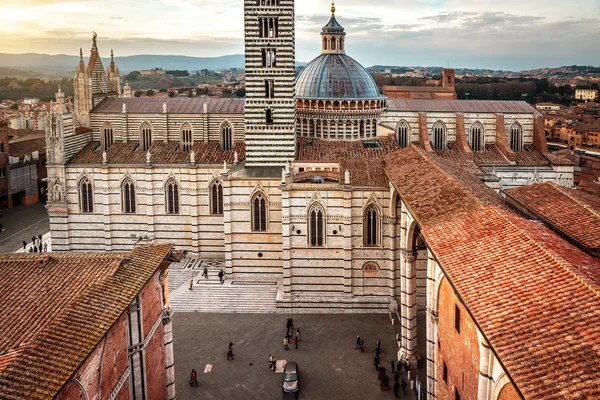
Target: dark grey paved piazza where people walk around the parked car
[{"x": 330, "y": 367}]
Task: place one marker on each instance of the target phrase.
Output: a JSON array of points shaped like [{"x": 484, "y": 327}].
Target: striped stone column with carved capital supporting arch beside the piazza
[{"x": 408, "y": 350}]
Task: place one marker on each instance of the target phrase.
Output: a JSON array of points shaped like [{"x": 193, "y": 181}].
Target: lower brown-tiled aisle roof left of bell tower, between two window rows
[{"x": 161, "y": 153}]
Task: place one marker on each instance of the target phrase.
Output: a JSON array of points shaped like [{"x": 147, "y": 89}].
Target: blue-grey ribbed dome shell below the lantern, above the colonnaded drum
[{"x": 336, "y": 76}]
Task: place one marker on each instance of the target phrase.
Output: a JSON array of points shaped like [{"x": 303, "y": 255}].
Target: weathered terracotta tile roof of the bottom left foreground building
[{"x": 56, "y": 309}]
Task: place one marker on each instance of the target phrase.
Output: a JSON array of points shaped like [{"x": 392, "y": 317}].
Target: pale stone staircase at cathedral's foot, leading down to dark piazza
[{"x": 210, "y": 296}]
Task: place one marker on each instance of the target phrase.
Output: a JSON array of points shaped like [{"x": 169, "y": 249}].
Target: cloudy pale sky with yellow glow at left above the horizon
[{"x": 495, "y": 34}]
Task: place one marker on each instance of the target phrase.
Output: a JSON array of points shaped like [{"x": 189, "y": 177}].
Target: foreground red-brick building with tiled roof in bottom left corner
[{"x": 82, "y": 325}]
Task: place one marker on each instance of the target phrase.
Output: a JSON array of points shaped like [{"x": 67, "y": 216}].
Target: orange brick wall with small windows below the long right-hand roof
[{"x": 460, "y": 351}]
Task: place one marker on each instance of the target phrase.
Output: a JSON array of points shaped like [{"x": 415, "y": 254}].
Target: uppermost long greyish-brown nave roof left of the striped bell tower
[{"x": 178, "y": 105}]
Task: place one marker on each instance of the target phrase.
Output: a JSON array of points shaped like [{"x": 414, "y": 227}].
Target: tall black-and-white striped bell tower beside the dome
[{"x": 270, "y": 111}]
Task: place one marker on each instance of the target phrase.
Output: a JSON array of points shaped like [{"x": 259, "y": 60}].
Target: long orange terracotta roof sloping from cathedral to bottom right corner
[{"x": 521, "y": 282}]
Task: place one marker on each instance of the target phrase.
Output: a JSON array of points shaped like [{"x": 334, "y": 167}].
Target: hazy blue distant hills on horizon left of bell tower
[{"x": 61, "y": 63}]
